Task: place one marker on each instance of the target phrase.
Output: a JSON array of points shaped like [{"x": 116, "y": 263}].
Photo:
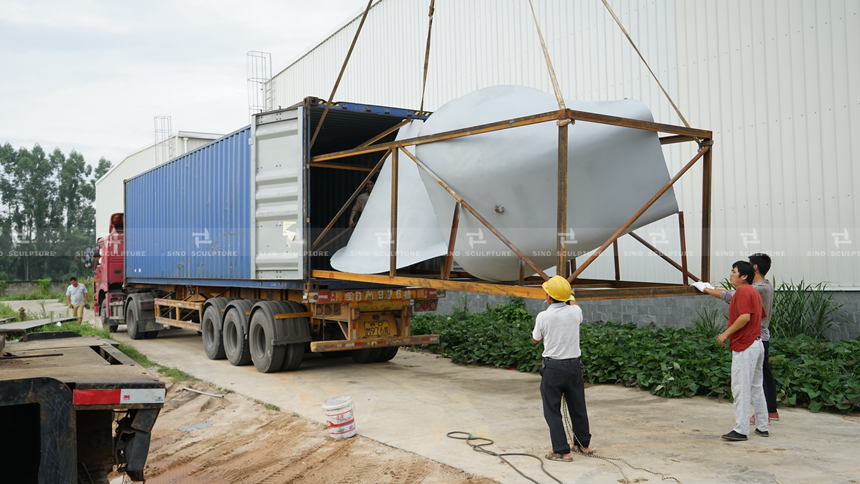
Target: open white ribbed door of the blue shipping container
[{"x": 277, "y": 204}]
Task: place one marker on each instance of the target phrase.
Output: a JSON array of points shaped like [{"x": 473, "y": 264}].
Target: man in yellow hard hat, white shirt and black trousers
[{"x": 561, "y": 372}]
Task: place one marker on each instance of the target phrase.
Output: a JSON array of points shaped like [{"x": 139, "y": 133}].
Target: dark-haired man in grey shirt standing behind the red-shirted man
[{"x": 761, "y": 263}]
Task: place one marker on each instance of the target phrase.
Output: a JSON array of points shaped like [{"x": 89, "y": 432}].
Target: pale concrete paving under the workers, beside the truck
[{"x": 414, "y": 400}]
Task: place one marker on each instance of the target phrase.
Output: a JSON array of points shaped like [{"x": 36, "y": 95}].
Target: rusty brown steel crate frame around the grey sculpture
[{"x": 586, "y": 289}]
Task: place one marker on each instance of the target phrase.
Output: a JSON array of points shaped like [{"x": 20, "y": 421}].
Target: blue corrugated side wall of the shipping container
[{"x": 190, "y": 218}]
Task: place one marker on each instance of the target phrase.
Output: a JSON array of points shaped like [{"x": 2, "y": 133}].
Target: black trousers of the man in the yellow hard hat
[{"x": 564, "y": 378}]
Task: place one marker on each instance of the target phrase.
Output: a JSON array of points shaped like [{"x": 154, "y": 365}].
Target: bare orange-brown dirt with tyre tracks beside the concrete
[{"x": 236, "y": 440}]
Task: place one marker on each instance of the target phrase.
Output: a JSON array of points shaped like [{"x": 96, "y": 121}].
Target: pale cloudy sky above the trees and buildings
[{"x": 90, "y": 75}]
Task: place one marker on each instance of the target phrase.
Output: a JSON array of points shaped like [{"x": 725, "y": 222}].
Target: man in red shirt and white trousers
[{"x": 745, "y": 314}]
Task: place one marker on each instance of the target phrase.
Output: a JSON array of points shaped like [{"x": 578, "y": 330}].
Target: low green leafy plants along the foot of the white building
[{"x": 668, "y": 362}]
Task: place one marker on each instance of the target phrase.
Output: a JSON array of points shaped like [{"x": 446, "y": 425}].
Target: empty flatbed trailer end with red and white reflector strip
[{"x": 73, "y": 409}]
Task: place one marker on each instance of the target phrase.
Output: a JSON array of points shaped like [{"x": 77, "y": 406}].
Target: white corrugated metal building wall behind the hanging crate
[{"x": 777, "y": 82}]
